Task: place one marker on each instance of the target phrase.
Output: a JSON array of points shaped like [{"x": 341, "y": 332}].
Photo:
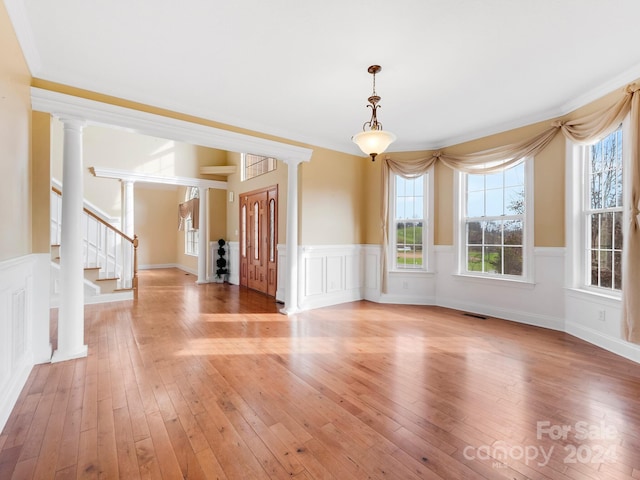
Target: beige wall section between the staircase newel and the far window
[{"x": 156, "y": 224}]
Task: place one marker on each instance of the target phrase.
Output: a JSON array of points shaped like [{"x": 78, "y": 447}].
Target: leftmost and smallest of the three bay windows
[{"x": 410, "y": 238}]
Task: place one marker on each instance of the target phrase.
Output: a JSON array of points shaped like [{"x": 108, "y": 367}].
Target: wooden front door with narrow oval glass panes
[{"x": 259, "y": 240}]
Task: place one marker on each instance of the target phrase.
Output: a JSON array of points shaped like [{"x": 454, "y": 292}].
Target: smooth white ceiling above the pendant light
[{"x": 452, "y": 70}]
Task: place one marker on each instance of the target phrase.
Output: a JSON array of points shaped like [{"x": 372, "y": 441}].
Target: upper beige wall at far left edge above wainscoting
[{"x": 15, "y": 123}]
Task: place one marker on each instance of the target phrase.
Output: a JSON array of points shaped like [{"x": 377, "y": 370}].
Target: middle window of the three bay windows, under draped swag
[{"x": 493, "y": 230}]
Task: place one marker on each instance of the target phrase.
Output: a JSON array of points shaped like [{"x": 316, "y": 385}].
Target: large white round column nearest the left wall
[{"x": 71, "y": 313}]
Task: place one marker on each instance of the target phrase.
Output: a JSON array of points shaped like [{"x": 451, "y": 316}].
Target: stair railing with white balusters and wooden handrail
[{"x": 103, "y": 245}]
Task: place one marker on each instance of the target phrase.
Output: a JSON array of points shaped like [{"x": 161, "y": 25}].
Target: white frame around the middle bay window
[{"x": 460, "y": 182}]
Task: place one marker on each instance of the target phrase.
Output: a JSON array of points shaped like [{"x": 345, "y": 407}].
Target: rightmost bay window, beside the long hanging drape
[{"x": 602, "y": 212}]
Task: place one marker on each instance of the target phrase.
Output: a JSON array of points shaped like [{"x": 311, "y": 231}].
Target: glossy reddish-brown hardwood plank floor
[{"x": 211, "y": 382}]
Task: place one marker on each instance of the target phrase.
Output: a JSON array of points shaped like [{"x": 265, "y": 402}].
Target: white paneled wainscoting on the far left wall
[{"x": 24, "y": 324}]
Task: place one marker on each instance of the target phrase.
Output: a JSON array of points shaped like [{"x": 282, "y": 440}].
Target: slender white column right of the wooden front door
[{"x": 291, "y": 291}]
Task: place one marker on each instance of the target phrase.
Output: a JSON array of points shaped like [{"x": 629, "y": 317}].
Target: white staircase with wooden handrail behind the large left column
[{"x": 110, "y": 256}]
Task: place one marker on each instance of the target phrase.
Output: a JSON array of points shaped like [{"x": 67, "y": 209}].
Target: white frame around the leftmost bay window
[{"x": 427, "y": 227}]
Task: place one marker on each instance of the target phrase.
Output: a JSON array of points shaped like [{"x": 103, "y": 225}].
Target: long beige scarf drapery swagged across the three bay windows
[{"x": 587, "y": 129}]
